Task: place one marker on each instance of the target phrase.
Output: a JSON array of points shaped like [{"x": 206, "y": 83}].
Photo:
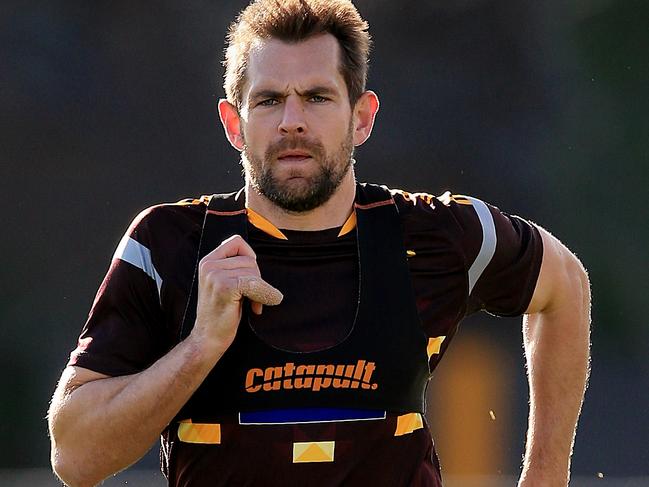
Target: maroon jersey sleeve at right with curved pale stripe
[{"x": 503, "y": 254}]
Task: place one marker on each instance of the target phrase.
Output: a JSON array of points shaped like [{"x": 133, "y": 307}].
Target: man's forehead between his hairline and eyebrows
[{"x": 275, "y": 64}]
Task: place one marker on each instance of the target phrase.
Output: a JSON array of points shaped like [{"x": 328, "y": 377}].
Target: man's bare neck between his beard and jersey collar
[{"x": 331, "y": 214}]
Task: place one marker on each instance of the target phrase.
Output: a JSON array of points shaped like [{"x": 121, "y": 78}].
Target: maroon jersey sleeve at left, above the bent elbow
[{"x": 120, "y": 335}]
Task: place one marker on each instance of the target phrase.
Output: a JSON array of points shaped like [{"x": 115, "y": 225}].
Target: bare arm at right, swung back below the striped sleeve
[{"x": 556, "y": 335}]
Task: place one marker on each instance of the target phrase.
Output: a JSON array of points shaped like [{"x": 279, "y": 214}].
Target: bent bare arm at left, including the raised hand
[{"x": 100, "y": 425}]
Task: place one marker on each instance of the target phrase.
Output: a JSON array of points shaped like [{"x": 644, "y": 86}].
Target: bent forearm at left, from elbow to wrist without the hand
[{"x": 105, "y": 425}]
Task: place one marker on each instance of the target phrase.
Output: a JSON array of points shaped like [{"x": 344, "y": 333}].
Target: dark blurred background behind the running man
[{"x": 537, "y": 107}]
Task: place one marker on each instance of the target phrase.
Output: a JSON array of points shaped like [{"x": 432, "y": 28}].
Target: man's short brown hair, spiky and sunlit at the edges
[{"x": 294, "y": 21}]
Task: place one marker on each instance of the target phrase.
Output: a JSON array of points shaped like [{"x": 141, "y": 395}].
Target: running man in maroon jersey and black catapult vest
[{"x": 319, "y": 378}]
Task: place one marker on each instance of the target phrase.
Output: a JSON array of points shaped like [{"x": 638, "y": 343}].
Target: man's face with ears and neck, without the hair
[{"x": 295, "y": 119}]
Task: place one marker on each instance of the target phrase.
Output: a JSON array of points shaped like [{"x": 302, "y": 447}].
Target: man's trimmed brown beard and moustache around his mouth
[{"x": 299, "y": 193}]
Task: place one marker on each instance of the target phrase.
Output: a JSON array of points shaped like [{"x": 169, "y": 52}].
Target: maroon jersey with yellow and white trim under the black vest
[{"x": 463, "y": 256}]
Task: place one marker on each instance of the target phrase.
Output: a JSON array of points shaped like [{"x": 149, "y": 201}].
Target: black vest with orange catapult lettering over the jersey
[{"x": 381, "y": 365}]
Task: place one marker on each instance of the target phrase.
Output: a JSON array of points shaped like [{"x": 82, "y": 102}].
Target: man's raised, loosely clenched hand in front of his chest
[{"x": 225, "y": 276}]
